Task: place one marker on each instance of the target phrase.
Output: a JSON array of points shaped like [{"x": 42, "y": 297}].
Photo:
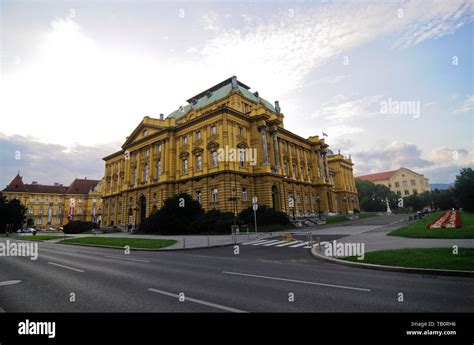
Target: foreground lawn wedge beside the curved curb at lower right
[{"x": 440, "y": 258}]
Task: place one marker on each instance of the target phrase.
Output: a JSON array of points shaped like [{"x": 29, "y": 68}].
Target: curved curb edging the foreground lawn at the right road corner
[{"x": 431, "y": 271}]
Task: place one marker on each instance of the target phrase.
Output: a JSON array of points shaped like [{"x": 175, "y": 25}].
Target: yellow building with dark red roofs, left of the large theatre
[{"x": 52, "y": 206}]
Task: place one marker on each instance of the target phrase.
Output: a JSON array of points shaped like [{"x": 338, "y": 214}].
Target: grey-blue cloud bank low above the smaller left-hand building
[{"x": 49, "y": 163}]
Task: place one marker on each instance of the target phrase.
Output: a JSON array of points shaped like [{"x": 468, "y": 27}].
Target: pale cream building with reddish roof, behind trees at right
[{"x": 403, "y": 181}]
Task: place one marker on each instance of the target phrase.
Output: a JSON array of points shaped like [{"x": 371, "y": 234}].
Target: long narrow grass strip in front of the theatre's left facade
[{"x": 122, "y": 242}]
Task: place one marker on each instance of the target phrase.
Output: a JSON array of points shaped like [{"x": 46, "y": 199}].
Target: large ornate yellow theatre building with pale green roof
[{"x": 226, "y": 146}]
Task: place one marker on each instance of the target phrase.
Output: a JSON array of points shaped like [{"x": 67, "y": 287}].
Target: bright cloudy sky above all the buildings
[{"x": 389, "y": 82}]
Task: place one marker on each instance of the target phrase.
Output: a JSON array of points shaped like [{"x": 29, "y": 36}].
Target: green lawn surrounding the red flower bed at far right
[{"x": 418, "y": 229}]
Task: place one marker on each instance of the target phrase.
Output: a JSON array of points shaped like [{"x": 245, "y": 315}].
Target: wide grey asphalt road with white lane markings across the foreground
[{"x": 258, "y": 279}]
